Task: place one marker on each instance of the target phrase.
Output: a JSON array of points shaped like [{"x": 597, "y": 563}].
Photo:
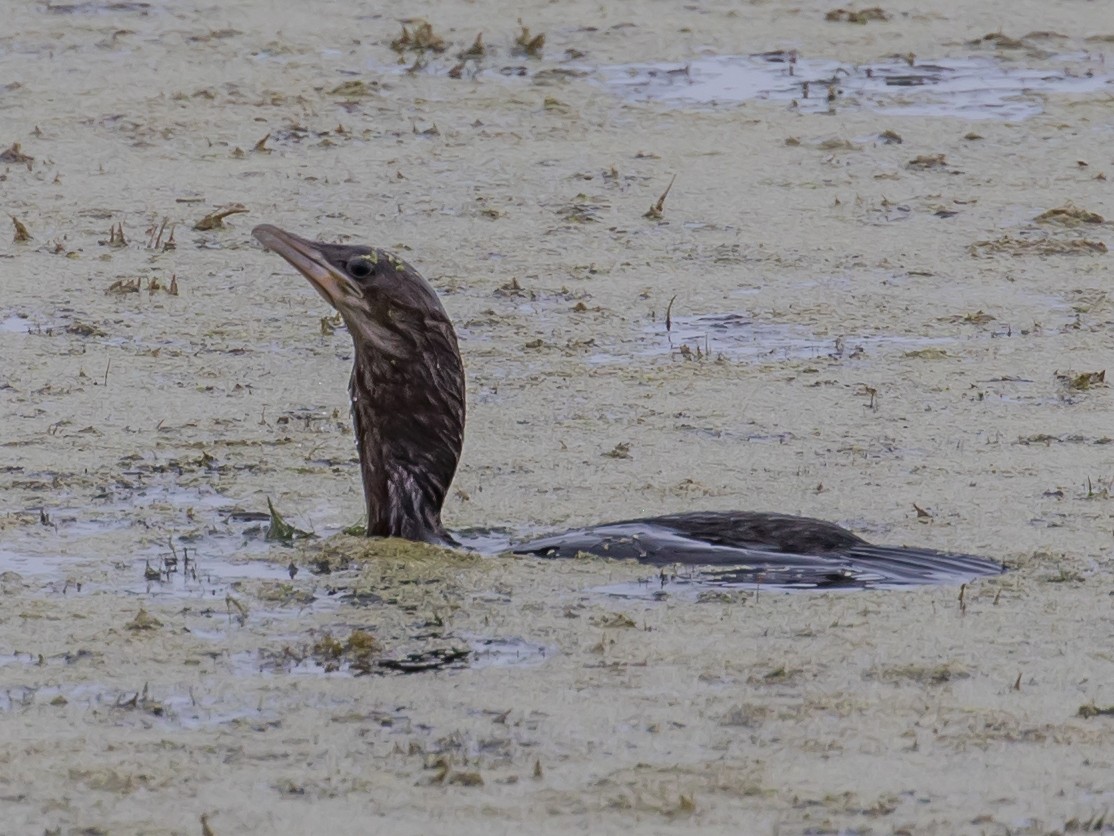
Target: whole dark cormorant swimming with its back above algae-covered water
[{"x": 408, "y": 411}]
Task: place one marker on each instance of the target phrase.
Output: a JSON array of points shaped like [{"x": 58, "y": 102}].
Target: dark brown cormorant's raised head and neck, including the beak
[{"x": 407, "y": 386}]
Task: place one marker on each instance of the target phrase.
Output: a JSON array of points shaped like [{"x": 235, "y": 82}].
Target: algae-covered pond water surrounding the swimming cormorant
[{"x": 882, "y": 327}]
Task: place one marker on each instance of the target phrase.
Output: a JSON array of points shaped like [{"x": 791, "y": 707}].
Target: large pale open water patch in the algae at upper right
[{"x": 971, "y": 89}]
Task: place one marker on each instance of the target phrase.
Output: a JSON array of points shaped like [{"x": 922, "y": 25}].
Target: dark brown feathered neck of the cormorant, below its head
[{"x": 409, "y": 419}]
